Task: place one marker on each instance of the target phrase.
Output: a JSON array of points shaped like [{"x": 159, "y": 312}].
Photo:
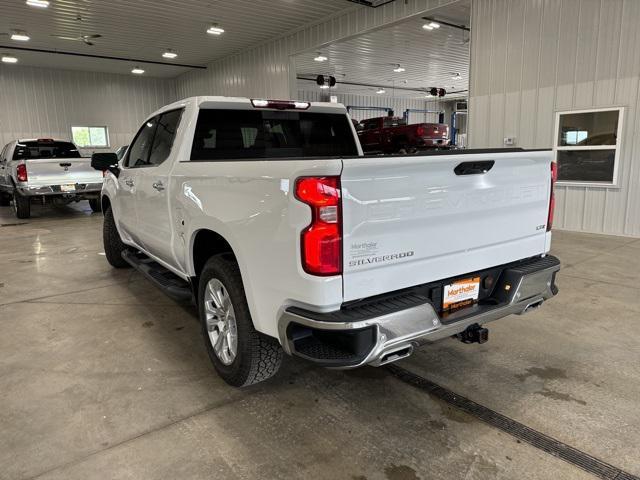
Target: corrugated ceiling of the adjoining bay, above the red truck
[{"x": 430, "y": 58}]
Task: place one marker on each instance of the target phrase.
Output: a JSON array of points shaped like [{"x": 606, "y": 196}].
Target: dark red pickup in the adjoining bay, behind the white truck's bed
[{"x": 393, "y": 135}]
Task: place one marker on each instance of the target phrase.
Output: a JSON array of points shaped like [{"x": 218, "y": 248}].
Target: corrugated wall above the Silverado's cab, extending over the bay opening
[{"x": 264, "y": 70}]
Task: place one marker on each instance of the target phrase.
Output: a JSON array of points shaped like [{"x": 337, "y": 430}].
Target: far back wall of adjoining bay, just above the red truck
[{"x": 399, "y": 105}]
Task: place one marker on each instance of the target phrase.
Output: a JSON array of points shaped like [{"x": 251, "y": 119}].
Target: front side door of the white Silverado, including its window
[{"x": 136, "y": 160}]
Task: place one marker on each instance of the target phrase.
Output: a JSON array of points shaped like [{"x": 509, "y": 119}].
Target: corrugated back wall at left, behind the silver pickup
[{"x": 36, "y": 102}]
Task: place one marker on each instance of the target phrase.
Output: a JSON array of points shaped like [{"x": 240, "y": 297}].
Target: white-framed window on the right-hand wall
[{"x": 587, "y": 146}]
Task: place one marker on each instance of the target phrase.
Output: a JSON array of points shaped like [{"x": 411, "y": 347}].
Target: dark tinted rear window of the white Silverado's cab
[{"x": 228, "y": 134}]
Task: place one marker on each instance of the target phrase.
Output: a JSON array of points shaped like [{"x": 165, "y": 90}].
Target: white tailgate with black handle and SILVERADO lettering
[{"x": 409, "y": 220}]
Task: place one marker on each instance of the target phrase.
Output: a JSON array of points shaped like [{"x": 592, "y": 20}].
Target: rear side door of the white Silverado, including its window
[{"x": 152, "y": 199}]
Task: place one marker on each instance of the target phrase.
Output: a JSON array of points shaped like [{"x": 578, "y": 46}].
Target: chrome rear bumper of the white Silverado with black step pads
[{"x": 342, "y": 340}]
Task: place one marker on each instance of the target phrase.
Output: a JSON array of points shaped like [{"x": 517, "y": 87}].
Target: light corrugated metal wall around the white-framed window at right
[{"x": 531, "y": 58}]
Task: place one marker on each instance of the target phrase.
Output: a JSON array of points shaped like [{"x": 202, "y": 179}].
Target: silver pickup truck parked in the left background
[{"x": 46, "y": 171}]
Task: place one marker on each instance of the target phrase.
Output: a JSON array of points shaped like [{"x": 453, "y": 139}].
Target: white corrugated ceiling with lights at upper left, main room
[{"x": 143, "y": 29}]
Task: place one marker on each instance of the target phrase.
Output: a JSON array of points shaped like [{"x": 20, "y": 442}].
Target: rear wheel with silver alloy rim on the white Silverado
[{"x": 241, "y": 355}]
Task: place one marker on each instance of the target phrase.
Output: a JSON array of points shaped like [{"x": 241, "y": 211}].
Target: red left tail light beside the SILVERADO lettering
[{"x": 321, "y": 241}]
